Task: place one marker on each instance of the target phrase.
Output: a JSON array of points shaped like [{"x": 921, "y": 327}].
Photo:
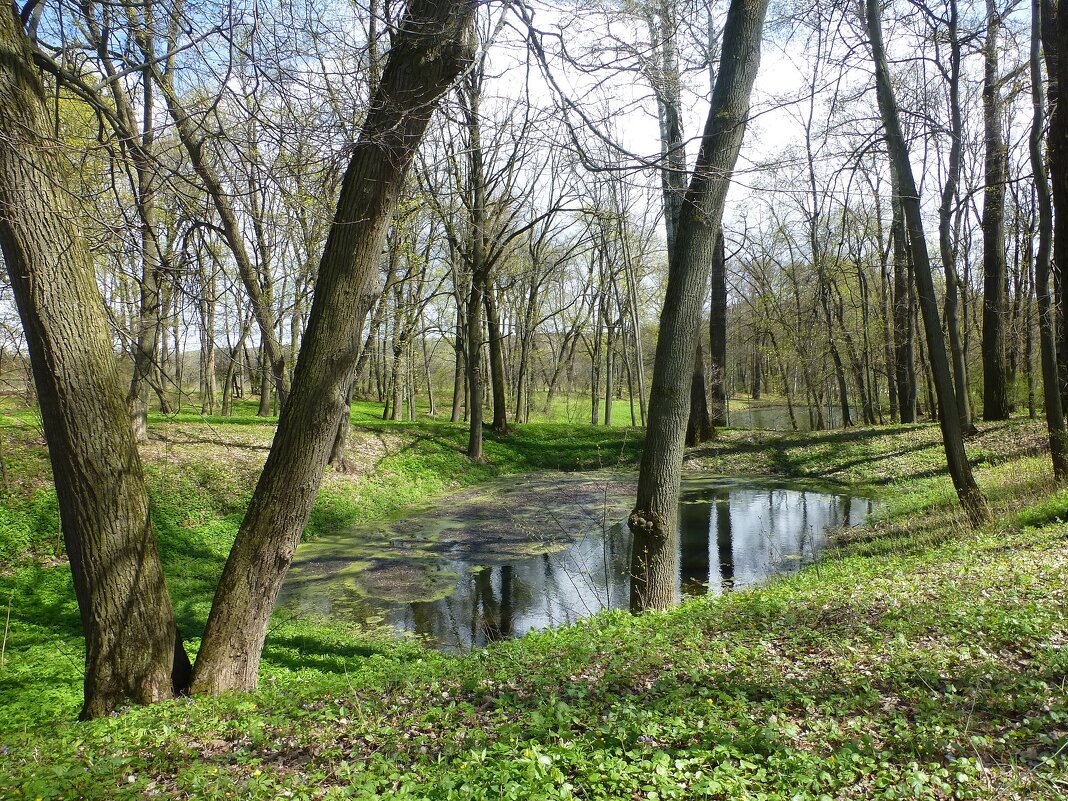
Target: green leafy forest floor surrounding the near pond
[{"x": 921, "y": 659}]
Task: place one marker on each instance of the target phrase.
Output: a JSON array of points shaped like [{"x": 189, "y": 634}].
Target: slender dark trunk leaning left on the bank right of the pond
[{"x": 968, "y": 492}]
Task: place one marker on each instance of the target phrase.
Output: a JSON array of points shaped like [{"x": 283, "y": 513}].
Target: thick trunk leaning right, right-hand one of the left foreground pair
[{"x": 431, "y": 49}]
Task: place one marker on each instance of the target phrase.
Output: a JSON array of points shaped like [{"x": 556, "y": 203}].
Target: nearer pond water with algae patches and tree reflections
[{"x": 543, "y": 551}]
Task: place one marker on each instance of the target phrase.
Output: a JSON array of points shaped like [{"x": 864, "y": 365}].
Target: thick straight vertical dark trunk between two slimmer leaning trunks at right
[{"x": 996, "y": 391}]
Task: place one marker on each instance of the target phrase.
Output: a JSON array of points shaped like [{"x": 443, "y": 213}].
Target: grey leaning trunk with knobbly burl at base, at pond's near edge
[{"x": 655, "y": 516}]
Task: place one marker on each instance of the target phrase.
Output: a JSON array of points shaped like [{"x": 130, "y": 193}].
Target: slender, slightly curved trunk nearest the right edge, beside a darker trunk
[{"x": 1051, "y": 384}]
